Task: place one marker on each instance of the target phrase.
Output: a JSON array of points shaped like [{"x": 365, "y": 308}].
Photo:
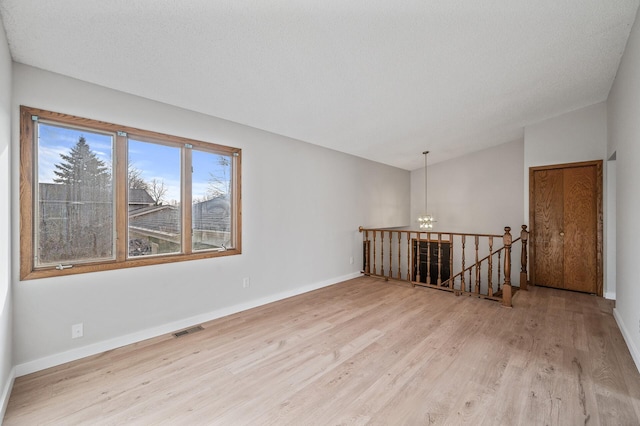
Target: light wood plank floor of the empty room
[{"x": 361, "y": 352}]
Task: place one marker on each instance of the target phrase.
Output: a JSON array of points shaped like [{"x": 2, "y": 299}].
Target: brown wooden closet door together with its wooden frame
[{"x": 566, "y": 226}]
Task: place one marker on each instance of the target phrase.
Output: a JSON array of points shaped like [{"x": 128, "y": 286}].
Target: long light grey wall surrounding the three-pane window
[{"x": 302, "y": 206}]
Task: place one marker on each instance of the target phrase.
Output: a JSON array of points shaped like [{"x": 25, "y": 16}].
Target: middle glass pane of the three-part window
[{"x": 154, "y": 199}]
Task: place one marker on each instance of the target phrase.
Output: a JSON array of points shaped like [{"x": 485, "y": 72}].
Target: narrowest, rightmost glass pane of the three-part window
[{"x": 211, "y": 210}]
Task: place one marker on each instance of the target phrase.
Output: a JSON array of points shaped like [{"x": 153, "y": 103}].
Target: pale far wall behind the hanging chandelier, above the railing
[{"x": 476, "y": 193}]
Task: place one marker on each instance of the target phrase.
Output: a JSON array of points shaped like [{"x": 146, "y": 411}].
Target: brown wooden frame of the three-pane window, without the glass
[{"x": 28, "y": 270}]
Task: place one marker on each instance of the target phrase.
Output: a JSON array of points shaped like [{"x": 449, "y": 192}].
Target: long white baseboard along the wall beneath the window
[{"x": 106, "y": 345}]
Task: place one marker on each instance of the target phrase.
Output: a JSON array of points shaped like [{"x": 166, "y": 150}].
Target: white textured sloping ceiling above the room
[{"x": 380, "y": 79}]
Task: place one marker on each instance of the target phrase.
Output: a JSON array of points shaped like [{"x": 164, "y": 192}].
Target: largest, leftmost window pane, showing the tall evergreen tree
[{"x": 75, "y": 214}]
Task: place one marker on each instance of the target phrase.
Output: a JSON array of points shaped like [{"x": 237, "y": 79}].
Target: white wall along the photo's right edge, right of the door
[{"x": 624, "y": 140}]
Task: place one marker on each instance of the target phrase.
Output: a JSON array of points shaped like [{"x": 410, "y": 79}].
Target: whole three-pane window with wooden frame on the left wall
[{"x": 98, "y": 196}]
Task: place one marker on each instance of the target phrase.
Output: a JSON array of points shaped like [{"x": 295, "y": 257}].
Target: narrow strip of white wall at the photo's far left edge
[{"x": 6, "y": 345}]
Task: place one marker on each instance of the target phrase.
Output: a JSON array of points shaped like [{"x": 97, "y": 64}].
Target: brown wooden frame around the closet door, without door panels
[{"x": 599, "y": 216}]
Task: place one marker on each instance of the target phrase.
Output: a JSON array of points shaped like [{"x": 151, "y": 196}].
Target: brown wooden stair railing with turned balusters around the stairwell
[{"x": 429, "y": 259}]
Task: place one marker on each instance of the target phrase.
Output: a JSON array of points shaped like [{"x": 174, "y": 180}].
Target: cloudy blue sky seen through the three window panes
[{"x": 155, "y": 161}]
